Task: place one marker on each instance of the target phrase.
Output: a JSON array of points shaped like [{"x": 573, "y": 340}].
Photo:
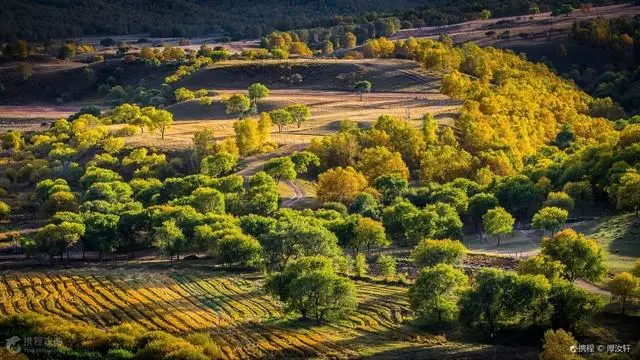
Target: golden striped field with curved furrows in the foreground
[{"x": 244, "y": 320}]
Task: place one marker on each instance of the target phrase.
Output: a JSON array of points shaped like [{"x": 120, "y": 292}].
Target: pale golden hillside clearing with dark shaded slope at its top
[{"x": 400, "y": 88}]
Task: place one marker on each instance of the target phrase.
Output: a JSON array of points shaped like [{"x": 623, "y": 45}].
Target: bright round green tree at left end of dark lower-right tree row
[{"x": 433, "y": 293}]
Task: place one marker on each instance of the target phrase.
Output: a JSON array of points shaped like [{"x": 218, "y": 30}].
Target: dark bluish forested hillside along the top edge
[{"x": 63, "y": 19}]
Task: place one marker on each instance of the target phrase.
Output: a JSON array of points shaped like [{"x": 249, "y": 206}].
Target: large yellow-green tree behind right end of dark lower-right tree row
[{"x": 581, "y": 256}]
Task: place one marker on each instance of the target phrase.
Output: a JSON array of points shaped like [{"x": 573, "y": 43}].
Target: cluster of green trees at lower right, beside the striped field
[{"x": 540, "y": 293}]
